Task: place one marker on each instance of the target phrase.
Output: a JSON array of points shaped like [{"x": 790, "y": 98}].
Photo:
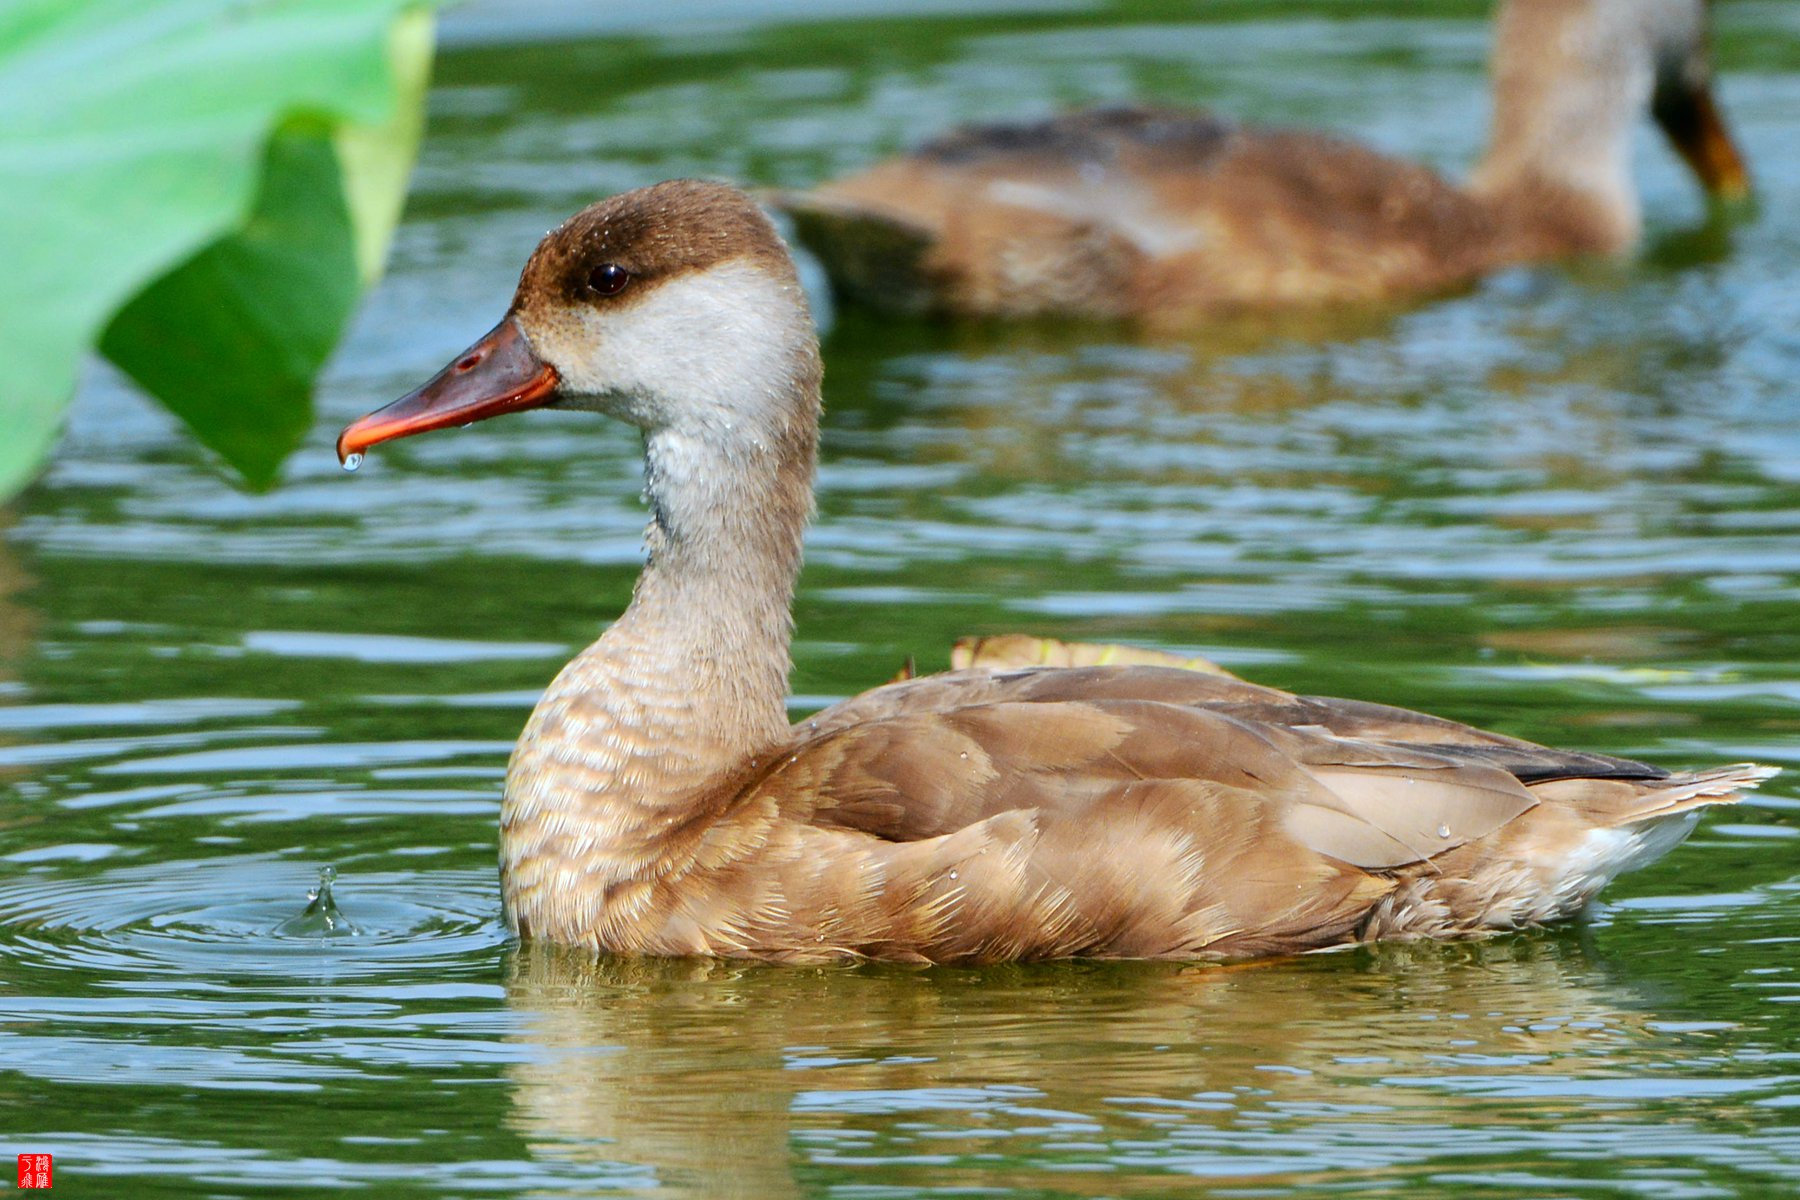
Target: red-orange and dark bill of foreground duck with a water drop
[{"x": 496, "y": 375}]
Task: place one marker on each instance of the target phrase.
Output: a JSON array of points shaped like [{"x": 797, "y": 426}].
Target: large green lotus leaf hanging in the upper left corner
[{"x": 202, "y": 186}]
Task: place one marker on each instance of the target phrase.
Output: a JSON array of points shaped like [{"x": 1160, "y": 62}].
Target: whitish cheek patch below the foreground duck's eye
[{"x": 708, "y": 346}]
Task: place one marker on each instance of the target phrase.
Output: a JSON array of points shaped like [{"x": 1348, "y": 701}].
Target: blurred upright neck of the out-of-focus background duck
[{"x": 1570, "y": 82}]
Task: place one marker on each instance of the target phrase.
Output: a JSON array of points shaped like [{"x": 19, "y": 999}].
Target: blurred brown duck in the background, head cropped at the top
[{"x": 1169, "y": 217}]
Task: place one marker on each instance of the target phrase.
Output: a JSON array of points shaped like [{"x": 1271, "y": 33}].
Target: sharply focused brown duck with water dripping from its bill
[{"x": 660, "y": 801}]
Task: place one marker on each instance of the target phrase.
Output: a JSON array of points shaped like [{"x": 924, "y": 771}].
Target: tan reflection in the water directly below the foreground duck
[{"x": 742, "y": 1080}]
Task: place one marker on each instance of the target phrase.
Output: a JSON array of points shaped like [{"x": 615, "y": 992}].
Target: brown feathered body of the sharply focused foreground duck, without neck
[{"x": 1095, "y": 812}]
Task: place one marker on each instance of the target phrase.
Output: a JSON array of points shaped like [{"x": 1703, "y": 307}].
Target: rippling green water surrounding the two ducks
[{"x": 1565, "y": 506}]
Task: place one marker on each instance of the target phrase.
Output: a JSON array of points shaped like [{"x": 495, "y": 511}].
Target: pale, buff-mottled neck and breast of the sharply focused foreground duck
[{"x": 642, "y": 730}]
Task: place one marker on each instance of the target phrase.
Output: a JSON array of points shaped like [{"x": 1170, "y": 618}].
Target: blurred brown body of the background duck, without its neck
[{"x": 1142, "y": 213}]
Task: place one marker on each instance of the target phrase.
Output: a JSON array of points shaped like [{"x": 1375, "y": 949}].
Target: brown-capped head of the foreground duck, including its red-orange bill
[{"x": 670, "y": 307}]
